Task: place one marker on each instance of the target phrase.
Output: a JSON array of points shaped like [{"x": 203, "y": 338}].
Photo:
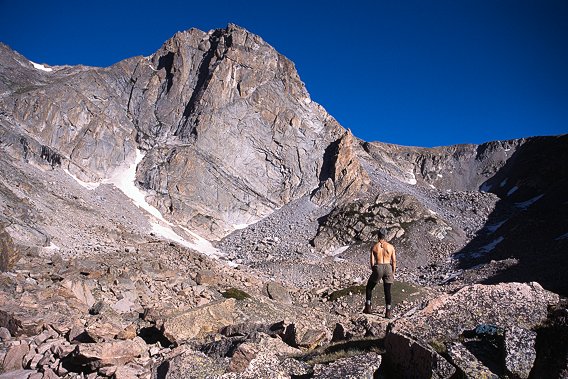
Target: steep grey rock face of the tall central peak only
[{"x": 232, "y": 136}]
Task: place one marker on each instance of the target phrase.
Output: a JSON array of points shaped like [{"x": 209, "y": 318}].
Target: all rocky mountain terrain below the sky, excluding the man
[{"x": 140, "y": 239}]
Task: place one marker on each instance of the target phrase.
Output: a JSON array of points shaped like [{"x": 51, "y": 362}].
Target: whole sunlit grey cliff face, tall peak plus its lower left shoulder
[{"x": 227, "y": 129}]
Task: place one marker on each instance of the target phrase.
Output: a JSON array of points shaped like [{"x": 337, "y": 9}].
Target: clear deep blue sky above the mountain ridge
[{"x": 414, "y": 72}]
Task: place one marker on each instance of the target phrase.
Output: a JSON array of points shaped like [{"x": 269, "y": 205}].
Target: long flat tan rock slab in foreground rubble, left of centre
[{"x": 198, "y": 321}]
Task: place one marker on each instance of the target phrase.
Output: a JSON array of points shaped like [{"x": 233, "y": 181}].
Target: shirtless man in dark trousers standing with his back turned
[{"x": 383, "y": 265}]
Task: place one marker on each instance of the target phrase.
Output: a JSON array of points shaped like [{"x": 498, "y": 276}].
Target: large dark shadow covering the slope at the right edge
[{"x": 530, "y": 222}]
